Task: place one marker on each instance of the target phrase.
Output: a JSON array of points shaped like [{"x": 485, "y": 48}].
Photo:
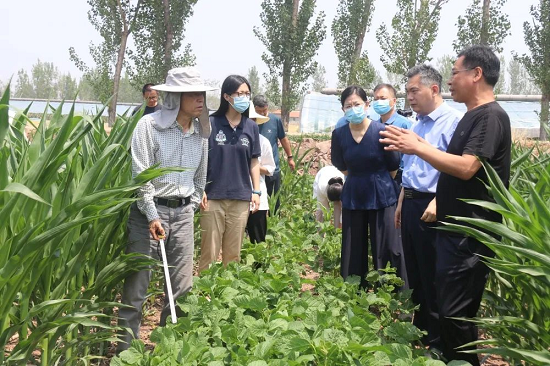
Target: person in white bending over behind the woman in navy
[{"x": 327, "y": 187}]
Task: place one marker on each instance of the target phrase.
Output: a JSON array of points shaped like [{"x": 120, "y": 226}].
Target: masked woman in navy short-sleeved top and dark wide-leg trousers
[{"x": 369, "y": 195}]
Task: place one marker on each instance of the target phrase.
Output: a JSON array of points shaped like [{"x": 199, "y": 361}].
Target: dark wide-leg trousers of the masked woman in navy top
[{"x": 384, "y": 239}]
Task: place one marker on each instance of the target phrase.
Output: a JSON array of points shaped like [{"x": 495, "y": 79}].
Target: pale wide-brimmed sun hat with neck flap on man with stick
[{"x": 181, "y": 80}]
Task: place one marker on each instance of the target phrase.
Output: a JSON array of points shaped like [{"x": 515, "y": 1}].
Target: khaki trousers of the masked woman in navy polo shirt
[{"x": 222, "y": 227}]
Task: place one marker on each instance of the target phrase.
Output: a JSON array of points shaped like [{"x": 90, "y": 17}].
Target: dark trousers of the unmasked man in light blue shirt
[{"x": 419, "y": 248}]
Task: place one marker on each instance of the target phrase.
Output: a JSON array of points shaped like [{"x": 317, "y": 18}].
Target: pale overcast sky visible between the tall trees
[{"x": 220, "y": 33}]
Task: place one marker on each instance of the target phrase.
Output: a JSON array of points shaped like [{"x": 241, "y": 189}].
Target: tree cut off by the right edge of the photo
[{"x": 537, "y": 63}]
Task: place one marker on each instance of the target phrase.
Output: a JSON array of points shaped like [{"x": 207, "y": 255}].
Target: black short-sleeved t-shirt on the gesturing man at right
[{"x": 484, "y": 132}]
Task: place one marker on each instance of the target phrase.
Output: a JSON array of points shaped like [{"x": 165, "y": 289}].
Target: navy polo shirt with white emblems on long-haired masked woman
[{"x": 229, "y": 157}]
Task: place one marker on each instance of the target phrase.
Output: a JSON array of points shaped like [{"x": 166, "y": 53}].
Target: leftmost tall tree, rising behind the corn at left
[{"x": 115, "y": 20}]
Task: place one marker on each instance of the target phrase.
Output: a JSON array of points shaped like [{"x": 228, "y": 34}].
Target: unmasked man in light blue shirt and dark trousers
[{"x": 416, "y": 210}]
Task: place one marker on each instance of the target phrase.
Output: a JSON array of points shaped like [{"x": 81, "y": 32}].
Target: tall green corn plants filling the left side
[{"x": 64, "y": 197}]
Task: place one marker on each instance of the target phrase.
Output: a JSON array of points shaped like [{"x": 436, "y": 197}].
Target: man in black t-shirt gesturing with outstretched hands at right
[{"x": 482, "y": 134}]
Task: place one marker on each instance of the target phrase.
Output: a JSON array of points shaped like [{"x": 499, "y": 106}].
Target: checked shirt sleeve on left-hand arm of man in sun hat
[{"x": 143, "y": 157}]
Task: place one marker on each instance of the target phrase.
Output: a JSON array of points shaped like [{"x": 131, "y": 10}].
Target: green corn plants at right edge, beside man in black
[{"x": 517, "y": 304}]
